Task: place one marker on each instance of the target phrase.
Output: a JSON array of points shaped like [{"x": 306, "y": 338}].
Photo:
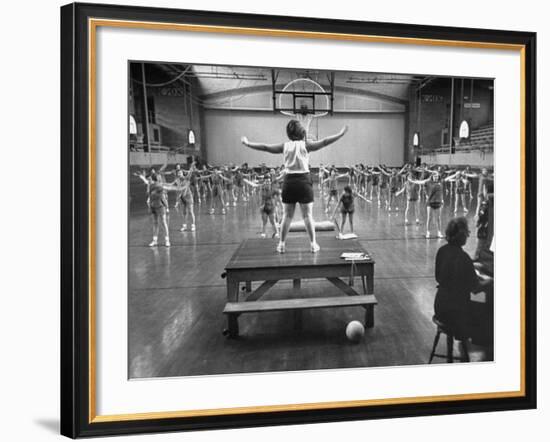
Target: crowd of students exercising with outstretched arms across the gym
[{"x": 220, "y": 187}]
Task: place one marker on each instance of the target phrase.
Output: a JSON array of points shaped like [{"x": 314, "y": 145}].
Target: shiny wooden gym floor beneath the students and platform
[{"x": 176, "y": 297}]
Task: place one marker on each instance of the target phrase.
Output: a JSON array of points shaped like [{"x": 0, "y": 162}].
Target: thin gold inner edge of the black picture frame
[{"x": 93, "y": 24}]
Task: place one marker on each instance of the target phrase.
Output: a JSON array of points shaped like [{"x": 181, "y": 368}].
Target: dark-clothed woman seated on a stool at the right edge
[{"x": 457, "y": 279}]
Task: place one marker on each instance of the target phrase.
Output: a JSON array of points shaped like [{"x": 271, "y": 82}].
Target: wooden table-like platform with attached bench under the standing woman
[{"x": 257, "y": 260}]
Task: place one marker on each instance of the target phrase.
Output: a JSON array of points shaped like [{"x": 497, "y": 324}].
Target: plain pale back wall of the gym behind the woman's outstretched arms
[{"x": 372, "y": 138}]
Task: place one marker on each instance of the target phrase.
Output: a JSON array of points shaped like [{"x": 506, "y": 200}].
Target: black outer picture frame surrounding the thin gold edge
[{"x": 77, "y": 252}]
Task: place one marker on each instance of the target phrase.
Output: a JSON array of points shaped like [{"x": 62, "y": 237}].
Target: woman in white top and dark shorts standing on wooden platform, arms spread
[{"x": 297, "y": 185}]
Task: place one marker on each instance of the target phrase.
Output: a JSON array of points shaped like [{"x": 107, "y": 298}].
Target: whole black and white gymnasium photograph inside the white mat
[{"x": 285, "y": 219}]
